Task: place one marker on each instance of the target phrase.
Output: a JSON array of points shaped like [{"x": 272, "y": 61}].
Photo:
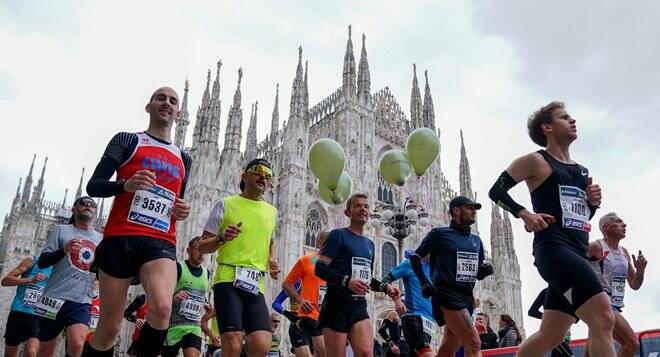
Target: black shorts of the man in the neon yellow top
[{"x": 239, "y": 310}]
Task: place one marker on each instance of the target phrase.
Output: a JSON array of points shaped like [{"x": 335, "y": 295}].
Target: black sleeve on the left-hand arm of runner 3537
[{"x": 119, "y": 149}]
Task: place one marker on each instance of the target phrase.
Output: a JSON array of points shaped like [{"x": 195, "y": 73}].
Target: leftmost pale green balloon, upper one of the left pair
[{"x": 326, "y": 159}]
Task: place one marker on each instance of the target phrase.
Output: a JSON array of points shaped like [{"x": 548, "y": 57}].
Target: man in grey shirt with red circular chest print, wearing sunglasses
[{"x": 66, "y": 299}]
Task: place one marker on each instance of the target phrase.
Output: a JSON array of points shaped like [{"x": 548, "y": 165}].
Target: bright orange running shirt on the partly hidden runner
[{"x": 311, "y": 284}]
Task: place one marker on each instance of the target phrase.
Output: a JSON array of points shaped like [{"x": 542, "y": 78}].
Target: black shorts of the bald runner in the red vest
[{"x": 122, "y": 257}]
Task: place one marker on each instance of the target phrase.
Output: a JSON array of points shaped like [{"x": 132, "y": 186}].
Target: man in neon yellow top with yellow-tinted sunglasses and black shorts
[{"x": 241, "y": 228}]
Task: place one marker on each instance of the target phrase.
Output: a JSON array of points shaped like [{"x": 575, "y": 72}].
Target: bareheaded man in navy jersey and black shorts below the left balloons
[{"x": 346, "y": 263}]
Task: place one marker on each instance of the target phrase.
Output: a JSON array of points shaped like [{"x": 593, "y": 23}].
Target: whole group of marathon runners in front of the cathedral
[{"x": 327, "y": 289}]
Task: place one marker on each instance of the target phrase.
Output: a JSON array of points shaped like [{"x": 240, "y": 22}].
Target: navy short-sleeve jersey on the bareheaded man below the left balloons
[{"x": 351, "y": 255}]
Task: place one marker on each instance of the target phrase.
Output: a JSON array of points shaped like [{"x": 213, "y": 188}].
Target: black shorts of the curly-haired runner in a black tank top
[{"x": 571, "y": 281}]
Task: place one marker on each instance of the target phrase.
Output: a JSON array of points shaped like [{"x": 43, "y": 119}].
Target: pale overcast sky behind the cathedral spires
[{"x": 73, "y": 74}]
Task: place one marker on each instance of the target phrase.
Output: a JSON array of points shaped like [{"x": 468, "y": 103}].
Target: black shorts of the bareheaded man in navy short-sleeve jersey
[{"x": 339, "y": 314}]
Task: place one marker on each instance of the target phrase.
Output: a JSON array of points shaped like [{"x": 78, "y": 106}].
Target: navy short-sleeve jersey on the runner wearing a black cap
[{"x": 455, "y": 258}]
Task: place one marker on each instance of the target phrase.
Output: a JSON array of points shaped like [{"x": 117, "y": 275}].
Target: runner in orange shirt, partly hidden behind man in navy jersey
[{"x": 311, "y": 296}]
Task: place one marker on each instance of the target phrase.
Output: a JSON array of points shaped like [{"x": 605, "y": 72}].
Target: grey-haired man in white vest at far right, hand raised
[{"x": 613, "y": 269}]
